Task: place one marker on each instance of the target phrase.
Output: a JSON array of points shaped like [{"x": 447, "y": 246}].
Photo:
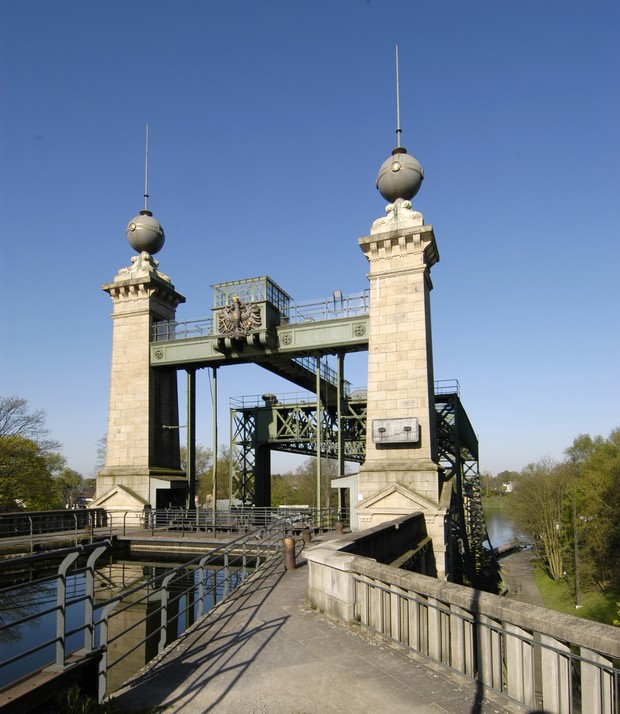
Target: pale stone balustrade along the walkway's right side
[{"x": 536, "y": 658}]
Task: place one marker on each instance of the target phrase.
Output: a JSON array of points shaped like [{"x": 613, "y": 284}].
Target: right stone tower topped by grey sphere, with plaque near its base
[{"x": 401, "y": 474}]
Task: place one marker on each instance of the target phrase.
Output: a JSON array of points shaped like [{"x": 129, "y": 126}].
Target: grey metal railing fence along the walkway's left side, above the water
[{"x": 196, "y": 585}]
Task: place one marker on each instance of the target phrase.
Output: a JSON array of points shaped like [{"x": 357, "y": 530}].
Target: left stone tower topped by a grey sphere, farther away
[{"x": 142, "y": 456}]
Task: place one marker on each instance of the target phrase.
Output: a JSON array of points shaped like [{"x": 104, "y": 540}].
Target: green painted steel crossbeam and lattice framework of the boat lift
[{"x": 255, "y": 322}]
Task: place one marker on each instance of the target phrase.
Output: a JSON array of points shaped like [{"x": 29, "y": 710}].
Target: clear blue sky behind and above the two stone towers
[{"x": 268, "y": 122}]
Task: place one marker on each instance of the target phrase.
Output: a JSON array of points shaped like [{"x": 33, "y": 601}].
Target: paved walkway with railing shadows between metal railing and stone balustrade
[{"x": 266, "y": 652}]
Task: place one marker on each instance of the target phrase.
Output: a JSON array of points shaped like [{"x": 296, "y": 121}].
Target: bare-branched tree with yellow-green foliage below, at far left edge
[{"x": 28, "y": 458}]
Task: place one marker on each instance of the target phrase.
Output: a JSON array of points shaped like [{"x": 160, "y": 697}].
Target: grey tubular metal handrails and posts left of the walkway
[{"x": 218, "y": 583}]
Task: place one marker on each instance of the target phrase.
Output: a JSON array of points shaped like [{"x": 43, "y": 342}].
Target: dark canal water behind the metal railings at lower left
[{"x": 135, "y": 619}]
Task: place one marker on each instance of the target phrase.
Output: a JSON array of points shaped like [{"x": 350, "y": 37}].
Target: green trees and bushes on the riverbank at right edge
[{"x": 570, "y": 511}]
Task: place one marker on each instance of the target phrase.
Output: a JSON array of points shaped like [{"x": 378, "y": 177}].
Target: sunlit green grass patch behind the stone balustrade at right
[{"x": 559, "y": 596}]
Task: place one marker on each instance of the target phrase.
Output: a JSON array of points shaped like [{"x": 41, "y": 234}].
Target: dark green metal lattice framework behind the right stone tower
[{"x": 293, "y": 428}]
